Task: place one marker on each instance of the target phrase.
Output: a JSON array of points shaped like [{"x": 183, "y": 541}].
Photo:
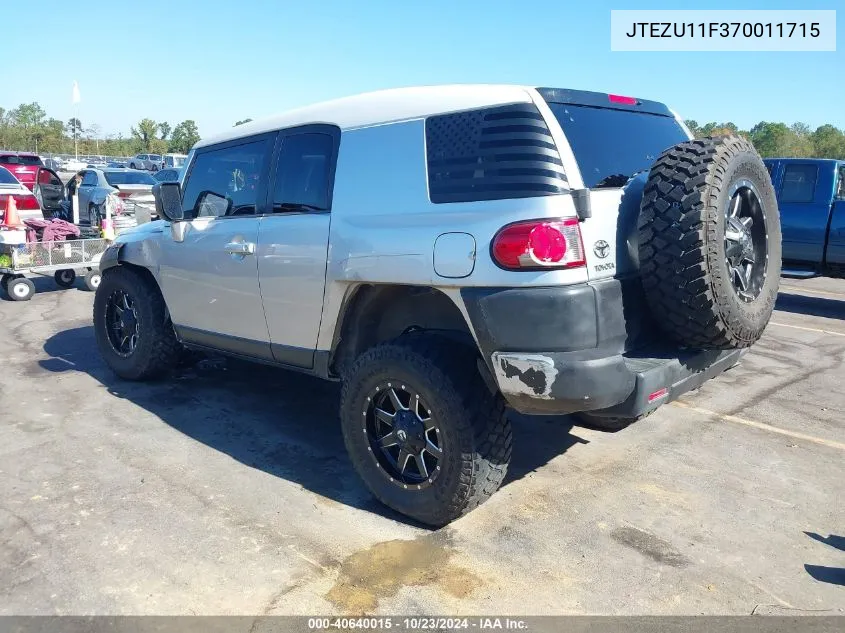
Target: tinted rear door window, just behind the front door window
[{"x": 302, "y": 172}]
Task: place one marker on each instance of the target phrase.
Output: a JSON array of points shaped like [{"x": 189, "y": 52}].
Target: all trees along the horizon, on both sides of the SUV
[{"x": 27, "y": 128}]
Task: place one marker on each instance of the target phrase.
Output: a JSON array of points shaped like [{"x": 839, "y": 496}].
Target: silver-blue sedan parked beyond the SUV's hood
[{"x": 132, "y": 187}]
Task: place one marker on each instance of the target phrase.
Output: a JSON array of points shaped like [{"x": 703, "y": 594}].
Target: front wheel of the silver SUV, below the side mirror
[{"x": 133, "y": 333}]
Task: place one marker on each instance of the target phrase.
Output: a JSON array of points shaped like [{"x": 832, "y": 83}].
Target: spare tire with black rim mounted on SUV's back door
[{"x": 709, "y": 243}]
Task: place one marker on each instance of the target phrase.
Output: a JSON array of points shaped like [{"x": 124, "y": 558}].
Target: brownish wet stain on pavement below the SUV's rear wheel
[{"x": 381, "y": 570}]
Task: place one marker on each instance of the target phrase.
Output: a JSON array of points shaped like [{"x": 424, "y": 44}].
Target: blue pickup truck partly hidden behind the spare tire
[{"x": 811, "y": 198}]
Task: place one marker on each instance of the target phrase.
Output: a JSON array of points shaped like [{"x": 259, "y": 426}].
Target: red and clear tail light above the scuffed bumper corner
[{"x": 539, "y": 244}]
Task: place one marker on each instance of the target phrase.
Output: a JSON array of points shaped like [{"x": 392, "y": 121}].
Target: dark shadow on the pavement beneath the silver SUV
[{"x": 281, "y": 422}]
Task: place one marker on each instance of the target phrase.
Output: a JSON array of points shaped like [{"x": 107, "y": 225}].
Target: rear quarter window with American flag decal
[{"x": 492, "y": 154}]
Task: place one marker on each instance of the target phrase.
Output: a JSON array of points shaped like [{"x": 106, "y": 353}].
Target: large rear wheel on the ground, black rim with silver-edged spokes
[{"x": 422, "y": 429}]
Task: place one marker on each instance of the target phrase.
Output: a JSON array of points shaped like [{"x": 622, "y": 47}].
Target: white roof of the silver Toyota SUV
[{"x": 383, "y": 106}]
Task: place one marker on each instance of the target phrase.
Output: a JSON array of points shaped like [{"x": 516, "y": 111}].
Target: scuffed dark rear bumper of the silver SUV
[{"x": 586, "y": 347}]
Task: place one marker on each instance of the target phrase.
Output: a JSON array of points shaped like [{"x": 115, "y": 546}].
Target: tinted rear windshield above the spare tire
[{"x": 612, "y": 145}]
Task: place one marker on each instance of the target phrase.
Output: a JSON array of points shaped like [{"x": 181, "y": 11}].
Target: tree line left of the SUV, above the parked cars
[{"x": 27, "y": 128}]
